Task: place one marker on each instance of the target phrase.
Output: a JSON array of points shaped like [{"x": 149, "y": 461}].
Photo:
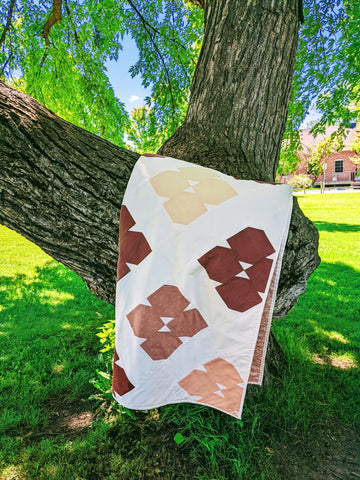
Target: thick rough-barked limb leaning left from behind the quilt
[{"x": 62, "y": 187}]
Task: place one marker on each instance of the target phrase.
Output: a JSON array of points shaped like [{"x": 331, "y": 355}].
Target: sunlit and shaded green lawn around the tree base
[{"x": 52, "y": 425}]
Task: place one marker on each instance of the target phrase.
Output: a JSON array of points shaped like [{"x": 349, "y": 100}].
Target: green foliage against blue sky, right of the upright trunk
[{"x": 327, "y": 72}]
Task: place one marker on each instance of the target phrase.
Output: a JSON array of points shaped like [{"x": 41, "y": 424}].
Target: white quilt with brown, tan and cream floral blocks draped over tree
[{"x": 199, "y": 262}]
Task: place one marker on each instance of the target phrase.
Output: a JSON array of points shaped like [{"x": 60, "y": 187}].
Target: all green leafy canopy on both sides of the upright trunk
[{"x": 57, "y": 52}]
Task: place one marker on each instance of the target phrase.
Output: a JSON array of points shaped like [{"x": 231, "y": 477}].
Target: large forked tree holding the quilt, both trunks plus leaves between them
[{"x": 62, "y": 186}]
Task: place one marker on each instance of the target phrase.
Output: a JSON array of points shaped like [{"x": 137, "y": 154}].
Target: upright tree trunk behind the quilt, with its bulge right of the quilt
[{"x": 238, "y": 108}]
